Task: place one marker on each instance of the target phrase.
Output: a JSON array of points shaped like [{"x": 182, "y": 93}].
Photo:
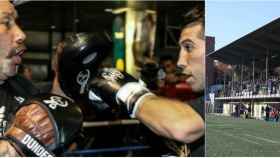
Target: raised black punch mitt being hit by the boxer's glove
[{"x": 79, "y": 60}]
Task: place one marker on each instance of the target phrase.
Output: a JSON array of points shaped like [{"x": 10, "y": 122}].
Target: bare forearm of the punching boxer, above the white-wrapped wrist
[{"x": 170, "y": 118}]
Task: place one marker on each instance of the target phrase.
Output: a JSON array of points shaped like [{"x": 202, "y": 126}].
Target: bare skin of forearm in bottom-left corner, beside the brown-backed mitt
[{"x": 7, "y": 150}]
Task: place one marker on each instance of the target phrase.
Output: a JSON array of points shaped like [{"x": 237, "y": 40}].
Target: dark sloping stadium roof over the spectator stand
[{"x": 255, "y": 45}]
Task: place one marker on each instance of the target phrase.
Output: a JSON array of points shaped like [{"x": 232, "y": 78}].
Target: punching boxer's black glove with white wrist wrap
[{"x": 117, "y": 88}]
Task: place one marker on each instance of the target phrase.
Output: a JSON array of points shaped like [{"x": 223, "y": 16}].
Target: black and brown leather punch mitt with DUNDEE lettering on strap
[{"x": 43, "y": 124}]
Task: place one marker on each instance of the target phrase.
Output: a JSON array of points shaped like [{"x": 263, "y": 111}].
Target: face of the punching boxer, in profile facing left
[{"x": 191, "y": 58}]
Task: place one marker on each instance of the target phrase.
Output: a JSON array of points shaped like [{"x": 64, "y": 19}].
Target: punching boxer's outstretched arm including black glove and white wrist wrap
[{"x": 168, "y": 118}]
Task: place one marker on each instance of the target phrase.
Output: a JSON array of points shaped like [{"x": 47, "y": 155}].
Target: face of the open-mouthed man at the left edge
[{"x": 11, "y": 41}]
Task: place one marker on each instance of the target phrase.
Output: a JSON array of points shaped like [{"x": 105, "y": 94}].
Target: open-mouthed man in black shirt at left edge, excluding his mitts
[{"x": 13, "y": 89}]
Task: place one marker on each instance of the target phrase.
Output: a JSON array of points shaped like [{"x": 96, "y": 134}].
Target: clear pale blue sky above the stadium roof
[{"x": 229, "y": 20}]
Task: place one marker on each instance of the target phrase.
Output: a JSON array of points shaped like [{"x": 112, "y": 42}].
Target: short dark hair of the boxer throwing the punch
[{"x": 194, "y": 17}]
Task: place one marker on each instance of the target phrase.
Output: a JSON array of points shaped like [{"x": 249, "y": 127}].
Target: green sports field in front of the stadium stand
[{"x": 229, "y": 136}]
